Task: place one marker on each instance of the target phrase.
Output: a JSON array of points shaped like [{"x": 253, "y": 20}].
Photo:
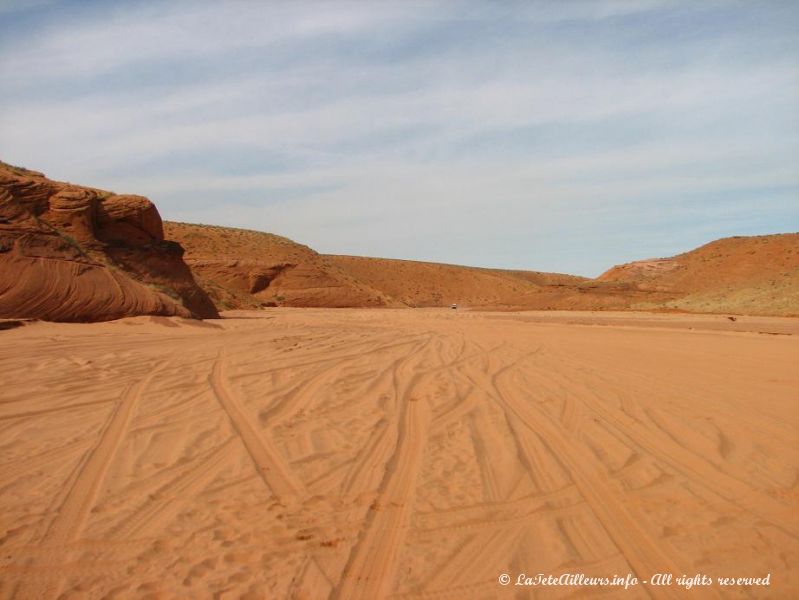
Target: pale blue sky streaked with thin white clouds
[{"x": 562, "y": 136}]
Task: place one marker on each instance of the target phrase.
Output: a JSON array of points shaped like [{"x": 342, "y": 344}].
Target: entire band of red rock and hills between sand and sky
[{"x": 72, "y": 253}]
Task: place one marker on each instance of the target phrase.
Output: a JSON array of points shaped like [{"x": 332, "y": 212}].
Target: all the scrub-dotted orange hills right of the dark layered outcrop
[{"x": 243, "y": 269}]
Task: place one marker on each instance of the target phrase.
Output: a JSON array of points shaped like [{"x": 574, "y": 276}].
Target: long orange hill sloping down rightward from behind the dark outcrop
[{"x": 240, "y": 268}]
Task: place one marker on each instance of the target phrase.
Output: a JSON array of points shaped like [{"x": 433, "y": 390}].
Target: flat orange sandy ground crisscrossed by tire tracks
[{"x": 398, "y": 453}]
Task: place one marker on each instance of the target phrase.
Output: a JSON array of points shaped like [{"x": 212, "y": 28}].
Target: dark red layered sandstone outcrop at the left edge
[{"x": 73, "y": 253}]
